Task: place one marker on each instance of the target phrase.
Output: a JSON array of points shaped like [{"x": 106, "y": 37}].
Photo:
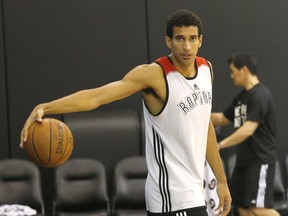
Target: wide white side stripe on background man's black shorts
[{"x": 262, "y": 186}]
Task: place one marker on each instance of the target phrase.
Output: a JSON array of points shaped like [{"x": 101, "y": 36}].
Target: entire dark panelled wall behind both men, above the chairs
[{"x": 54, "y": 48}]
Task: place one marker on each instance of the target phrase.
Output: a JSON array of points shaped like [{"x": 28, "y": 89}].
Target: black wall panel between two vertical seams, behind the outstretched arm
[{"x": 57, "y": 47}]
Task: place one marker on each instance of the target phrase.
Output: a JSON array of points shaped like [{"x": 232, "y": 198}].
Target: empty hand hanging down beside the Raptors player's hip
[{"x": 225, "y": 200}]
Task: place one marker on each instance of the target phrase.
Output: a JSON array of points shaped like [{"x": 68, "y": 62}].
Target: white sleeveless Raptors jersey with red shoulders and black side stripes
[{"x": 176, "y": 140}]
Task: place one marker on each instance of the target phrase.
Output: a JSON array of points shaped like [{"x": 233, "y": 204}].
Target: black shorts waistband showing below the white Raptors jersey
[{"x": 198, "y": 211}]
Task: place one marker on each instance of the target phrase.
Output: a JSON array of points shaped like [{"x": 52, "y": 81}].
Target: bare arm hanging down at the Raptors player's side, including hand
[{"x": 215, "y": 162}]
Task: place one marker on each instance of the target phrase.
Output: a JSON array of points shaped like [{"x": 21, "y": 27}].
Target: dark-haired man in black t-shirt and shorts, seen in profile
[{"x": 253, "y": 115}]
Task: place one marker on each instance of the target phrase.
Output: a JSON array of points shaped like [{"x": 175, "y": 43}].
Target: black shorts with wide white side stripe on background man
[{"x": 253, "y": 186}]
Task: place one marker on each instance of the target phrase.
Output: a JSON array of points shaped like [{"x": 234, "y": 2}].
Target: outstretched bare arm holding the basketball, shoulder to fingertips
[{"x": 138, "y": 79}]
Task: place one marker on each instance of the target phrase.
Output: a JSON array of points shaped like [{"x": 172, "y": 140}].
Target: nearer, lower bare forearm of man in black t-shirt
[{"x": 241, "y": 134}]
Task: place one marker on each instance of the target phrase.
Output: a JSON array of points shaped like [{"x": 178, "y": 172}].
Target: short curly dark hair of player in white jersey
[{"x": 183, "y": 18}]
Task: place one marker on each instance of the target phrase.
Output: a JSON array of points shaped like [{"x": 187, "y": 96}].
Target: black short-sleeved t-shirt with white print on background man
[{"x": 255, "y": 105}]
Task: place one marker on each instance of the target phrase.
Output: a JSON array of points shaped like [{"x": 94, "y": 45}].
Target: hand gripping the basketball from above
[{"x": 36, "y": 115}]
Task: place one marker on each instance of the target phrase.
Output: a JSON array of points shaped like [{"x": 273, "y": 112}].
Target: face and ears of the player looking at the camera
[{"x": 185, "y": 43}]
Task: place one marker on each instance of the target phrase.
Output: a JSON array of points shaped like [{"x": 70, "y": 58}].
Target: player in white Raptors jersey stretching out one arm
[{"x": 177, "y": 97}]
